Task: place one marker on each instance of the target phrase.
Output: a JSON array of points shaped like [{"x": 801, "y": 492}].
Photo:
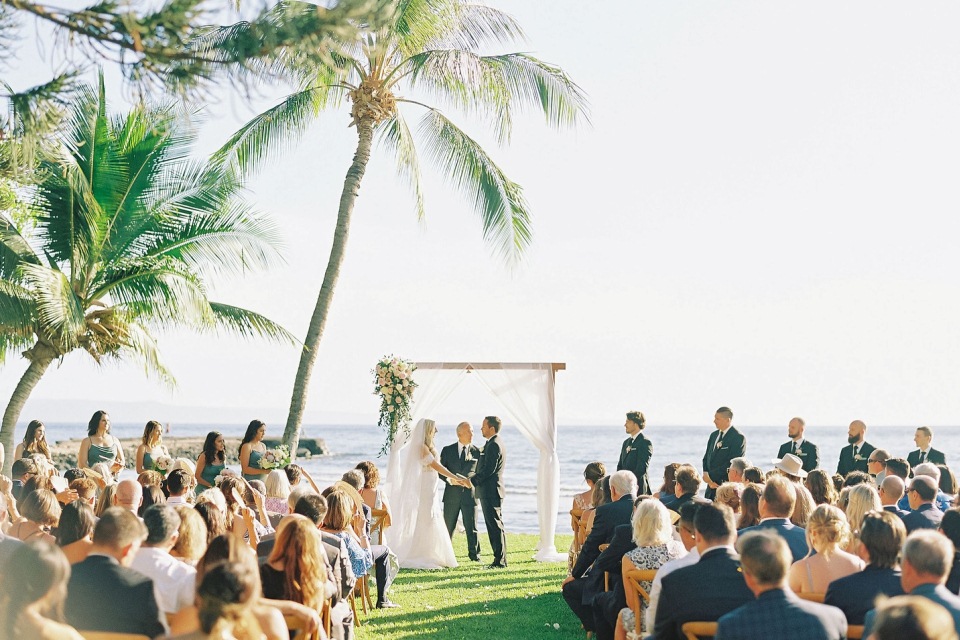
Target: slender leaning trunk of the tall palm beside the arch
[{"x": 348, "y": 198}]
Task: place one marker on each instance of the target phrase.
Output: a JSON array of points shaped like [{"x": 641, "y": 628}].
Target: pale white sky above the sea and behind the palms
[{"x": 758, "y": 215}]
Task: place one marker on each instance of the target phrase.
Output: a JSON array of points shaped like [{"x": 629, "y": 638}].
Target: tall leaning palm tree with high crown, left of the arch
[{"x": 430, "y": 47}]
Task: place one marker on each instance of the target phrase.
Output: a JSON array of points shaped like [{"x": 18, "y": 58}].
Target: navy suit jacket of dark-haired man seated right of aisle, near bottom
[{"x": 704, "y": 591}]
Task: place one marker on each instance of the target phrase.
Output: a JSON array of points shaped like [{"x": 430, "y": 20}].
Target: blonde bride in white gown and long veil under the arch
[{"x": 421, "y": 538}]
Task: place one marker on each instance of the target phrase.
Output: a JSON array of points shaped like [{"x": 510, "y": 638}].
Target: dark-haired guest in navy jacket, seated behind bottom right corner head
[{"x": 881, "y": 536}]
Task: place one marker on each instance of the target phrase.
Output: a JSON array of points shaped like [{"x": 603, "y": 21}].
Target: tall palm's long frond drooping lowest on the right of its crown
[{"x": 499, "y": 201}]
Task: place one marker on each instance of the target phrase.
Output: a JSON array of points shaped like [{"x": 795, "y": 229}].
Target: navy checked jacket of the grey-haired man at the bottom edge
[{"x": 779, "y": 613}]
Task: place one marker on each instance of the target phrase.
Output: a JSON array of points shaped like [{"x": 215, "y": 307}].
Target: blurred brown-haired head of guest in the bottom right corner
[{"x": 913, "y": 617}]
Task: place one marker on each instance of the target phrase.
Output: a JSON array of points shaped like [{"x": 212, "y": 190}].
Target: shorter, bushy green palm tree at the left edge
[{"x": 127, "y": 230}]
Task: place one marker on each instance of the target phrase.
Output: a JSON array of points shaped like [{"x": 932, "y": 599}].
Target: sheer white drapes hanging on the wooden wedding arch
[{"x": 527, "y": 394}]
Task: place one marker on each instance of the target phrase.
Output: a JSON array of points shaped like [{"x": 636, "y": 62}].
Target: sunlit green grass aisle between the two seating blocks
[{"x": 470, "y": 602}]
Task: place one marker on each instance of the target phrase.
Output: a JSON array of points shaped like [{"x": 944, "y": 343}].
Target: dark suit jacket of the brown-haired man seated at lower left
[{"x": 103, "y": 596}]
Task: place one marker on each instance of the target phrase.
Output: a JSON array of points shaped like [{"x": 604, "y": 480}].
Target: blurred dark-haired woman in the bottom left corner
[{"x": 33, "y": 586}]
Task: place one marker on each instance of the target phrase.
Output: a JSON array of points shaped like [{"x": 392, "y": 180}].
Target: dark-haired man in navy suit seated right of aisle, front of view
[{"x": 710, "y": 588}]
